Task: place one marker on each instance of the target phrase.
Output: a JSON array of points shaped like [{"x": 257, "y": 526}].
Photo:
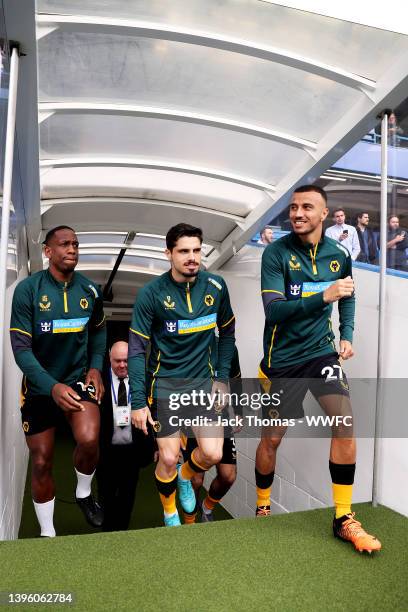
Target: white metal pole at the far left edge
[{"x": 7, "y": 184}]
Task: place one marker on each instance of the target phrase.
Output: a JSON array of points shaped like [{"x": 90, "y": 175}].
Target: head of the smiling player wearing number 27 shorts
[{"x": 306, "y": 213}]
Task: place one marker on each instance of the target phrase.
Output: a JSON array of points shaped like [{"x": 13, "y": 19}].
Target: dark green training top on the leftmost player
[{"x": 57, "y": 330}]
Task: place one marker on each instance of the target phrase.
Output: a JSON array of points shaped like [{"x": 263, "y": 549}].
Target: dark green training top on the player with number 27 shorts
[{"x": 297, "y": 320}]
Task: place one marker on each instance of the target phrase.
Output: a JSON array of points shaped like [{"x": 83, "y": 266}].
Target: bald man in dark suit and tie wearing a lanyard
[{"x": 123, "y": 448}]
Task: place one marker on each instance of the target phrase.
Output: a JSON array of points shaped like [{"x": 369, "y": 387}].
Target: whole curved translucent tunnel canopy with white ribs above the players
[{"x": 204, "y": 111}]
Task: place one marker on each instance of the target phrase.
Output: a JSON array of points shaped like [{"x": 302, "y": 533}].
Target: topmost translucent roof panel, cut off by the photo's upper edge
[{"x": 355, "y": 48}]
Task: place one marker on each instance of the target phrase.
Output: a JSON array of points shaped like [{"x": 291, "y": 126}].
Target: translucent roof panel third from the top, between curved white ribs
[{"x": 66, "y": 135}]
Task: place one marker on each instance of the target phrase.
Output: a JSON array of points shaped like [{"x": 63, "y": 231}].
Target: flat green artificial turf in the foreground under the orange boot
[{"x": 286, "y": 562}]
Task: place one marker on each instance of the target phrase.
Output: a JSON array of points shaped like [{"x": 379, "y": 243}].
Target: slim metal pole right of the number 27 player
[{"x": 382, "y": 306}]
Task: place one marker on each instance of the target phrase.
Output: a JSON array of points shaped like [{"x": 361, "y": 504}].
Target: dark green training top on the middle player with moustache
[{"x": 179, "y": 319}]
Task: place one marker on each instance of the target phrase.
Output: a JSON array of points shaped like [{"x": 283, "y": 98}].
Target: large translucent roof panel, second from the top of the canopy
[{"x": 123, "y": 69}]
